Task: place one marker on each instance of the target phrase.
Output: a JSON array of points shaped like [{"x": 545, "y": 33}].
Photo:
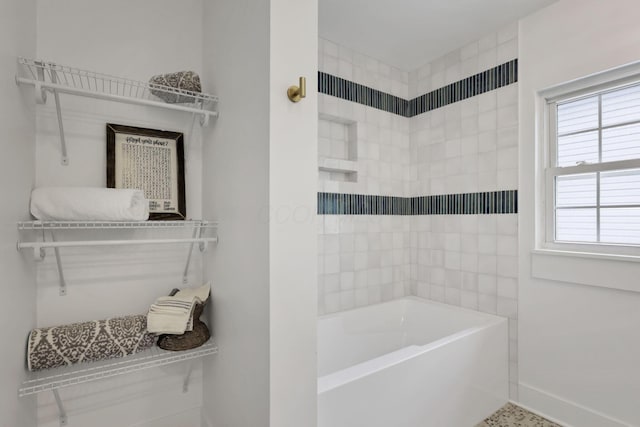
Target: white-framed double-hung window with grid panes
[{"x": 593, "y": 174}]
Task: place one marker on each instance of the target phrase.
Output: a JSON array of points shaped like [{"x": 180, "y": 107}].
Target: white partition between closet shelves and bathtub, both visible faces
[{"x": 259, "y": 182}]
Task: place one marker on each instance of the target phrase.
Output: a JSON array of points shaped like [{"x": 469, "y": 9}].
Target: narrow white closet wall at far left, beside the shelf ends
[{"x": 17, "y": 305}]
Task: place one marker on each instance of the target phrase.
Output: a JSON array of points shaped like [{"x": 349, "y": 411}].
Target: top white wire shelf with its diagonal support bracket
[{"x": 55, "y": 78}]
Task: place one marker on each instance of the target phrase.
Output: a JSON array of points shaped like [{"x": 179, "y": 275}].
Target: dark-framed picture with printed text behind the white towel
[{"x": 149, "y": 160}]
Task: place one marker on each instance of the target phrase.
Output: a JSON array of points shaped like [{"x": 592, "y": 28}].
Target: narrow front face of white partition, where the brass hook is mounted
[{"x": 292, "y": 222}]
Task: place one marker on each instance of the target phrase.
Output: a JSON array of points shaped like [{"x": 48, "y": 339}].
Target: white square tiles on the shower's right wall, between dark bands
[{"x": 465, "y": 147}]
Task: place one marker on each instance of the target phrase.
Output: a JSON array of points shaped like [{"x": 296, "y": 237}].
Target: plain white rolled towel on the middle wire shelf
[{"x": 88, "y": 204}]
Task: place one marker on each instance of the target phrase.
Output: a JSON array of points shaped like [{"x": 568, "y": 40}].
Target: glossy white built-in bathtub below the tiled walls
[{"x": 410, "y": 363}]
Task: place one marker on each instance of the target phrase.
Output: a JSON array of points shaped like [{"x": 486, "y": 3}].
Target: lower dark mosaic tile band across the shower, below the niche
[{"x": 491, "y": 202}]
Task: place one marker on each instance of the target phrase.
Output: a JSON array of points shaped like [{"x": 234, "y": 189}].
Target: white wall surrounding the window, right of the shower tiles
[{"x": 579, "y": 349}]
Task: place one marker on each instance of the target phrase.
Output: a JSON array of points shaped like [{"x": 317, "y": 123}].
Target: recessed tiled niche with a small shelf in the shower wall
[{"x": 337, "y": 149}]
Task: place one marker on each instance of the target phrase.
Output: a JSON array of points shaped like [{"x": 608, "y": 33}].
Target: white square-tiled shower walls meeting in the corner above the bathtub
[{"x": 461, "y": 141}]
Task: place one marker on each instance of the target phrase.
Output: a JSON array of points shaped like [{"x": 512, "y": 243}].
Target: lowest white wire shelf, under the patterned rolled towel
[{"x": 53, "y": 379}]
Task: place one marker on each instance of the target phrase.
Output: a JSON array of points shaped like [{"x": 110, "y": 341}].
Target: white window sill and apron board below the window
[{"x": 620, "y": 272}]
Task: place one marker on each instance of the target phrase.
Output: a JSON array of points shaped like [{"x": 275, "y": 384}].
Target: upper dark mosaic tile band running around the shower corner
[{"x": 485, "y": 81}]
